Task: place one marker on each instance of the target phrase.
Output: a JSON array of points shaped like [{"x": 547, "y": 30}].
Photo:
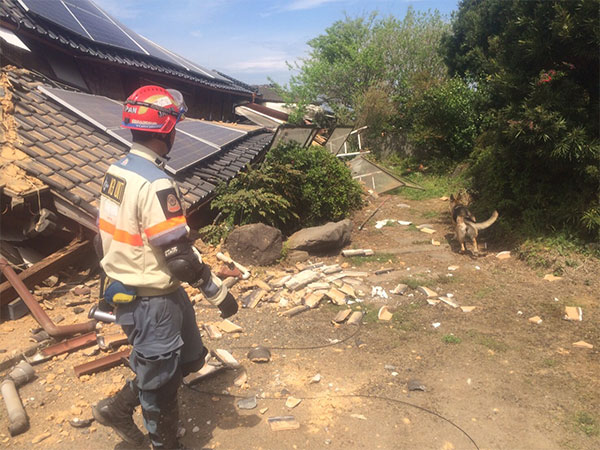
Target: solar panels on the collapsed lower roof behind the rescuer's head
[{"x": 196, "y": 140}]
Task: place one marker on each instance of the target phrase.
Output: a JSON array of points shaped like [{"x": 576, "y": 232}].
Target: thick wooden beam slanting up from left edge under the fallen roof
[{"x": 48, "y": 266}]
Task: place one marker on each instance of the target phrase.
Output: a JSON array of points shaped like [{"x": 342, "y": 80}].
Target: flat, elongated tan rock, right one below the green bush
[{"x": 326, "y": 238}]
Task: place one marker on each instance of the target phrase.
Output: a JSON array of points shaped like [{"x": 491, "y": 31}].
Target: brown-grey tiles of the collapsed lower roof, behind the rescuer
[{"x": 71, "y": 156}]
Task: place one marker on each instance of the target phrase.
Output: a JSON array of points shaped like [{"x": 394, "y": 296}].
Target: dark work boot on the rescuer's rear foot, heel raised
[{"x": 117, "y": 411}]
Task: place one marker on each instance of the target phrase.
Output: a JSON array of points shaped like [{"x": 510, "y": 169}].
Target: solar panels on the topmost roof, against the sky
[{"x": 86, "y": 19}]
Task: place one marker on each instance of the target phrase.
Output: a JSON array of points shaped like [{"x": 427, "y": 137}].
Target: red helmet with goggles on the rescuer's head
[{"x": 153, "y": 109}]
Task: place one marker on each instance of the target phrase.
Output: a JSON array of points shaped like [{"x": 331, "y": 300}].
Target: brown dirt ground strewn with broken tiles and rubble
[{"x": 492, "y": 378}]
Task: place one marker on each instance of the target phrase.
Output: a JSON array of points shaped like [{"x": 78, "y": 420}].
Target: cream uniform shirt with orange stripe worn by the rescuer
[{"x": 140, "y": 212}]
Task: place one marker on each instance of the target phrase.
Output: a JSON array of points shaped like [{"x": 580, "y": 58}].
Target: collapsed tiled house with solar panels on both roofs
[{"x": 62, "y": 86}]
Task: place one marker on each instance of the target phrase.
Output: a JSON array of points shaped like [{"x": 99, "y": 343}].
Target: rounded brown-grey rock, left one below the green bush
[{"x": 256, "y": 244}]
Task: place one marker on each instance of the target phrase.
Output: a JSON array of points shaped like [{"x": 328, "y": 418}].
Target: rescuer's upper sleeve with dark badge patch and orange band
[{"x": 161, "y": 213}]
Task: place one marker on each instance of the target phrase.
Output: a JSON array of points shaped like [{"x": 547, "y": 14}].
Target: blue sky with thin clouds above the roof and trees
[{"x": 249, "y": 40}]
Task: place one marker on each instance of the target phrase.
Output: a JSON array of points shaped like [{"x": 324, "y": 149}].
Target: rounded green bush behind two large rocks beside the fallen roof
[{"x": 295, "y": 187}]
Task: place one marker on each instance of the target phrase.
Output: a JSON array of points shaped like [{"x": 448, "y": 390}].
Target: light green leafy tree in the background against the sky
[{"x": 365, "y": 68}]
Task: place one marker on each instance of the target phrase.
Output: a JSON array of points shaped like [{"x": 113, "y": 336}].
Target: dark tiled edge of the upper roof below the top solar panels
[{"x": 12, "y": 13}]
